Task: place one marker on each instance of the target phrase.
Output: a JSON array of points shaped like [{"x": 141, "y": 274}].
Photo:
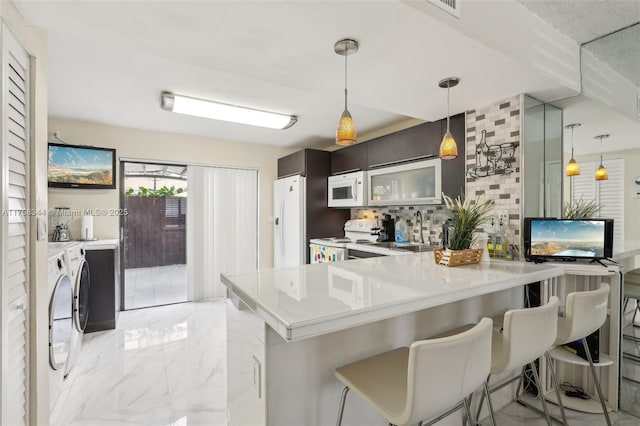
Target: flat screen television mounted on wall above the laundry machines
[{"x": 76, "y": 166}]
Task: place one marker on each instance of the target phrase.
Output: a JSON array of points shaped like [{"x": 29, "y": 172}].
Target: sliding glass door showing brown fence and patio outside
[{"x": 154, "y": 244}]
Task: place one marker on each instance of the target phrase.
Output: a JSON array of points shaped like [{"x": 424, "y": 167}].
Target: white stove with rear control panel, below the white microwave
[{"x": 334, "y": 249}]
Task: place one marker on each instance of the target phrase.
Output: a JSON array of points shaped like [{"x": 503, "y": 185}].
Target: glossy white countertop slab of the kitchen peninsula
[{"x": 311, "y": 300}]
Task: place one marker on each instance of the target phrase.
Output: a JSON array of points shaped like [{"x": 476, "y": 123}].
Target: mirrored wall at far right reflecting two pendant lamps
[{"x": 610, "y": 106}]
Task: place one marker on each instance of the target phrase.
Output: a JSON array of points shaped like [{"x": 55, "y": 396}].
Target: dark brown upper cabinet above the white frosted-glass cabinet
[{"x": 412, "y": 144}]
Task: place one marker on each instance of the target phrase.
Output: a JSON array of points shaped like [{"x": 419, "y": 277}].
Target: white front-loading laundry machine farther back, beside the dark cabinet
[{"x": 78, "y": 271}]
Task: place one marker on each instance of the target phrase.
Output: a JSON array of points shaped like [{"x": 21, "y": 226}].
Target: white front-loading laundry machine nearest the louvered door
[{"x": 60, "y": 322}]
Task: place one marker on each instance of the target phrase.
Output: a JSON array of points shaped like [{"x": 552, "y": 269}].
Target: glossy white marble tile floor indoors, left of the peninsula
[{"x": 161, "y": 366}]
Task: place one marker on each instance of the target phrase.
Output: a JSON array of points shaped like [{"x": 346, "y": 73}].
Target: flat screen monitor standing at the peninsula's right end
[{"x": 568, "y": 239}]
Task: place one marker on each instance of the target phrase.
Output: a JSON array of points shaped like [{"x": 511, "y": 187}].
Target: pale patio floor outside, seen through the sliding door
[{"x": 155, "y": 286}]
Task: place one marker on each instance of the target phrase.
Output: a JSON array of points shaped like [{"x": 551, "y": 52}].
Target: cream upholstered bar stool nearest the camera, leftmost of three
[{"x": 409, "y": 385}]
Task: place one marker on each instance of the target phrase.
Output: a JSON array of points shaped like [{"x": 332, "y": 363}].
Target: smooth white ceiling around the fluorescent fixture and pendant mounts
[{"x": 109, "y": 62}]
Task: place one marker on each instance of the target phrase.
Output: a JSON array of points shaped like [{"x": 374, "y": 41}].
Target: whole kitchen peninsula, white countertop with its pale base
[{"x": 289, "y": 328}]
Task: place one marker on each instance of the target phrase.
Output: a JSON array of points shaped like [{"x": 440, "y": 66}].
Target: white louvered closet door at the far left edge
[{"x": 13, "y": 256}]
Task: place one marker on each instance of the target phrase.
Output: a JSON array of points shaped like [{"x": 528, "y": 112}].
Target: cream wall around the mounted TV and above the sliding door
[{"x": 159, "y": 146}]
